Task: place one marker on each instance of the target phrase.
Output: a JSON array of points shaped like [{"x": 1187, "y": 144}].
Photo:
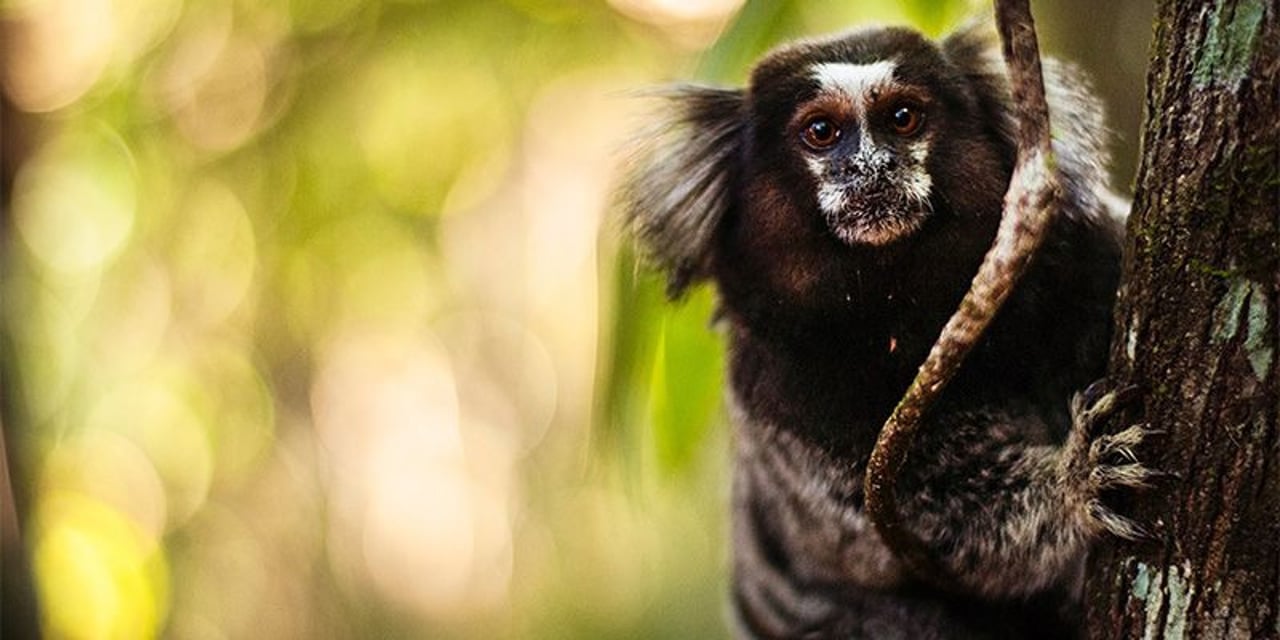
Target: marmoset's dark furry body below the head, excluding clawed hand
[{"x": 807, "y": 414}]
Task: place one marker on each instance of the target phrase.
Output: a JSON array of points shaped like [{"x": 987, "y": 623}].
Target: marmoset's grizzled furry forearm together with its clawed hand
[{"x": 1008, "y": 513}]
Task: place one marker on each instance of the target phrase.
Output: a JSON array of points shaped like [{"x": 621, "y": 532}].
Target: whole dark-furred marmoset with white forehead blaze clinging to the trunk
[{"x": 842, "y": 205}]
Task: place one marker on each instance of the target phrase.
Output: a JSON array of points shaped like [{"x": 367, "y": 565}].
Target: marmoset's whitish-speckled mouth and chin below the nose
[{"x": 875, "y": 218}]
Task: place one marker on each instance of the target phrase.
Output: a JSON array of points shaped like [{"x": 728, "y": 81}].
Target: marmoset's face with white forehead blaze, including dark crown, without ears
[{"x": 857, "y": 121}]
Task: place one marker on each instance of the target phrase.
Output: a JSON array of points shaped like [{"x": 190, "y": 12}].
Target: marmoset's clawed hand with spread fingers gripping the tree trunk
[{"x": 1094, "y": 464}]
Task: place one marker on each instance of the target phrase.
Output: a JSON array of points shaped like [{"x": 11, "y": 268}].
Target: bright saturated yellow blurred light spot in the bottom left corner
[{"x": 99, "y": 575}]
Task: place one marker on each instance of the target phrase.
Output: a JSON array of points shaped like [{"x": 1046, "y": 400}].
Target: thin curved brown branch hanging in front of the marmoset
[{"x": 1031, "y": 204}]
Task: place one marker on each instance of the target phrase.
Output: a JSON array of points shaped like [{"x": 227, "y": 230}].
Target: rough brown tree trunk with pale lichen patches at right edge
[{"x": 1197, "y": 332}]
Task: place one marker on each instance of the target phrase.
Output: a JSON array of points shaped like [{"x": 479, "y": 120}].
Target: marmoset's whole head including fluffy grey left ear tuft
[{"x": 874, "y": 152}]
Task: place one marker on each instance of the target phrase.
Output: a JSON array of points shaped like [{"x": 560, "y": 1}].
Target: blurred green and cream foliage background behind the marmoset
[{"x": 317, "y": 323}]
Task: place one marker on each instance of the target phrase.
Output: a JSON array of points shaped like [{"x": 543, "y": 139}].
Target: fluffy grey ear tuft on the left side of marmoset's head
[{"x": 682, "y": 177}]
